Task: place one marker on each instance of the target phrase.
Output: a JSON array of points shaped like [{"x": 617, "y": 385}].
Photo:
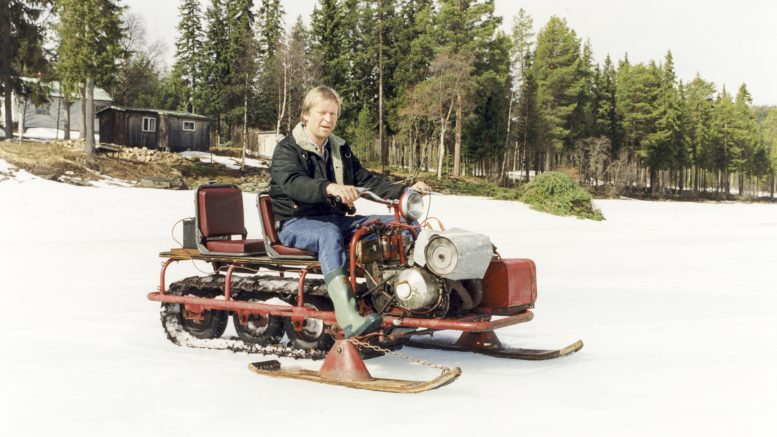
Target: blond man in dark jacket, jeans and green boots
[{"x": 310, "y": 167}]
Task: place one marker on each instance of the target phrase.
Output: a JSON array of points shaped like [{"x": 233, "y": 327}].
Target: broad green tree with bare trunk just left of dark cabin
[{"x": 90, "y": 33}]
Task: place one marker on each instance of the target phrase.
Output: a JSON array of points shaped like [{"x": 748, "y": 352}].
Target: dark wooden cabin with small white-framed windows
[{"x": 154, "y": 129}]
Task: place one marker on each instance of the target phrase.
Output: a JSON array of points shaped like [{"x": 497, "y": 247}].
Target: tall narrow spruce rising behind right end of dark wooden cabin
[{"x": 188, "y": 53}]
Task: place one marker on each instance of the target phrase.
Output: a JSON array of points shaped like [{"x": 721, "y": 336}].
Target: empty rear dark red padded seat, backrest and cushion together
[{"x": 219, "y": 217}]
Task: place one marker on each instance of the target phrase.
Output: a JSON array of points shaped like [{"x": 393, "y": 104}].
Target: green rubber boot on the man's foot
[{"x": 351, "y": 322}]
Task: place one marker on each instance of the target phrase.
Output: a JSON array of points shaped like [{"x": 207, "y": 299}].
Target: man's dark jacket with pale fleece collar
[{"x": 298, "y": 177}]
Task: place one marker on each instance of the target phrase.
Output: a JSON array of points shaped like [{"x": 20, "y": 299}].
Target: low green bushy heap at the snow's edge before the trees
[{"x": 557, "y": 193}]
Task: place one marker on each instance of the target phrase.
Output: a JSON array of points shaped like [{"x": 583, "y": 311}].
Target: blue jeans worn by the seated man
[{"x": 326, "y": 235}]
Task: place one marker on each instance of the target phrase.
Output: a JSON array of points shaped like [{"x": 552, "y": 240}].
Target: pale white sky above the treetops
[{"x": 728, "y": 42}]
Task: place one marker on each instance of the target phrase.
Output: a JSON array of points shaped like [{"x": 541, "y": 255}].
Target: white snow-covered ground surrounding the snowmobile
[{"x": 675, "y": 303}]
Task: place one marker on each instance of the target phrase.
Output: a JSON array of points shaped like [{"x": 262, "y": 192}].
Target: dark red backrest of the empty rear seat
[{"x": 220, "y": 211}]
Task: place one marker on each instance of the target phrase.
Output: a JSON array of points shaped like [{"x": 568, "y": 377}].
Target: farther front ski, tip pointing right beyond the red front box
[{"x": 487, "y": 343}]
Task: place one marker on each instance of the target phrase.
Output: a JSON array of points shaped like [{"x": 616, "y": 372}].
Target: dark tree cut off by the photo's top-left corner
[{"x": 21, "y": 51}]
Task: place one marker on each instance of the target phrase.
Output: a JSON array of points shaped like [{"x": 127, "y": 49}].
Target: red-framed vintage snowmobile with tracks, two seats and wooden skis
[{"x": 419, "y": 282}]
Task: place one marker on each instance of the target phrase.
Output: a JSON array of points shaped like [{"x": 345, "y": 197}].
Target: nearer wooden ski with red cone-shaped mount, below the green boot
[{"x": 344, "y": 367}]
